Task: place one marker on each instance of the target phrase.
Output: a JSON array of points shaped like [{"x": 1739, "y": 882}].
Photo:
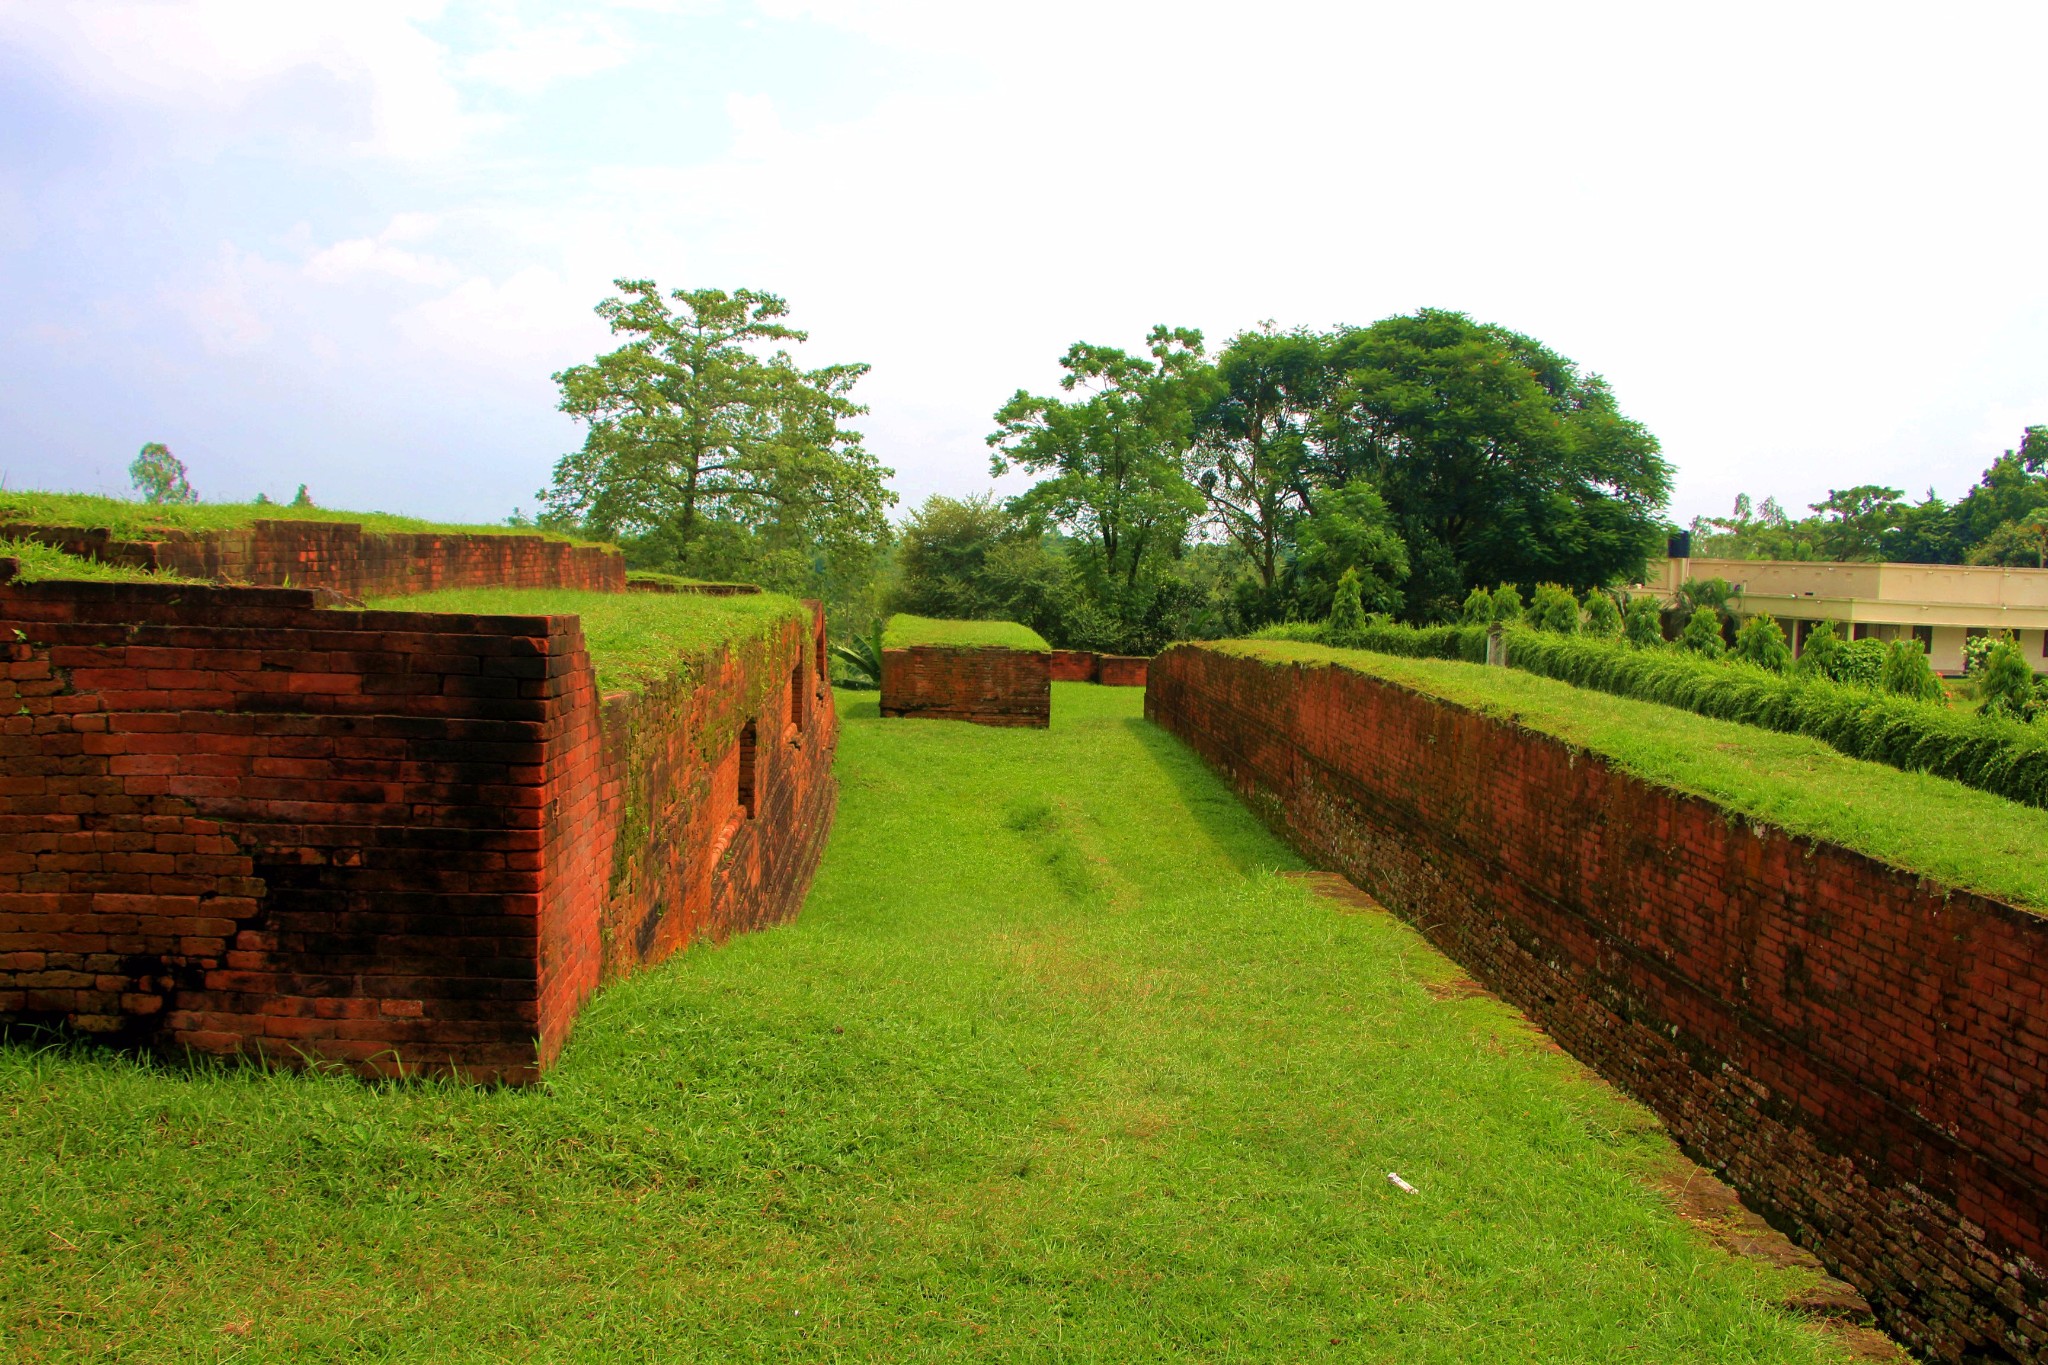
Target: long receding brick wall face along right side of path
[{"x": 1859, "y": 1051}]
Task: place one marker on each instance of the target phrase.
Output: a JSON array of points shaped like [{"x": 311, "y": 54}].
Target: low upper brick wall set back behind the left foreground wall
[{"x": 345, "y": 558}]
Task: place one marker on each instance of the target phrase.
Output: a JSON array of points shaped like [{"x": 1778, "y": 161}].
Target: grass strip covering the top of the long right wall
[{"x": 1928, "y": 826}]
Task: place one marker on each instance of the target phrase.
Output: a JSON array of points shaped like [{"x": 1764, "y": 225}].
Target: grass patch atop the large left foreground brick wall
[{"x": 634, "y": 640}]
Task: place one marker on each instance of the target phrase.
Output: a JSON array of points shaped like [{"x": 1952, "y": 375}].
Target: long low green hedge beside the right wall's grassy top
[{"x": 1998, "y": 756}]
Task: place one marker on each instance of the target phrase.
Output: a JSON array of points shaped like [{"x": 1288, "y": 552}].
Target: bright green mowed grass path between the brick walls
[{"x": 1052, "y": 1069}]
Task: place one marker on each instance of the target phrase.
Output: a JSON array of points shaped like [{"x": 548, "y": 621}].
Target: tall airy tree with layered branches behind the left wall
[{"x": 697, "y": 439}]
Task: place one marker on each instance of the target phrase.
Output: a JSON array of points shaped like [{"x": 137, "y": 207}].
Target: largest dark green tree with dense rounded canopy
[{"x": 1494, "y": 447}]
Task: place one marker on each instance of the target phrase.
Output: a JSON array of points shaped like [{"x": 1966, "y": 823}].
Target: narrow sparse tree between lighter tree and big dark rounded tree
[{"x": 1252, "y": 443}]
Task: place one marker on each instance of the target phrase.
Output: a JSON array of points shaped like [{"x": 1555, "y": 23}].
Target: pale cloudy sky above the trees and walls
[{"x": 347, "y": 245}]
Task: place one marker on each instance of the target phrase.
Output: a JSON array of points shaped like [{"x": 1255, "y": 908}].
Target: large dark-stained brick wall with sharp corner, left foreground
[{"x": 239, "y": 824}]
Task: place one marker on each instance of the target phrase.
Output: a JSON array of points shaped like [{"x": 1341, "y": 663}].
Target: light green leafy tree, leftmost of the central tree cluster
[{"x": 1113, "y": 459}]
